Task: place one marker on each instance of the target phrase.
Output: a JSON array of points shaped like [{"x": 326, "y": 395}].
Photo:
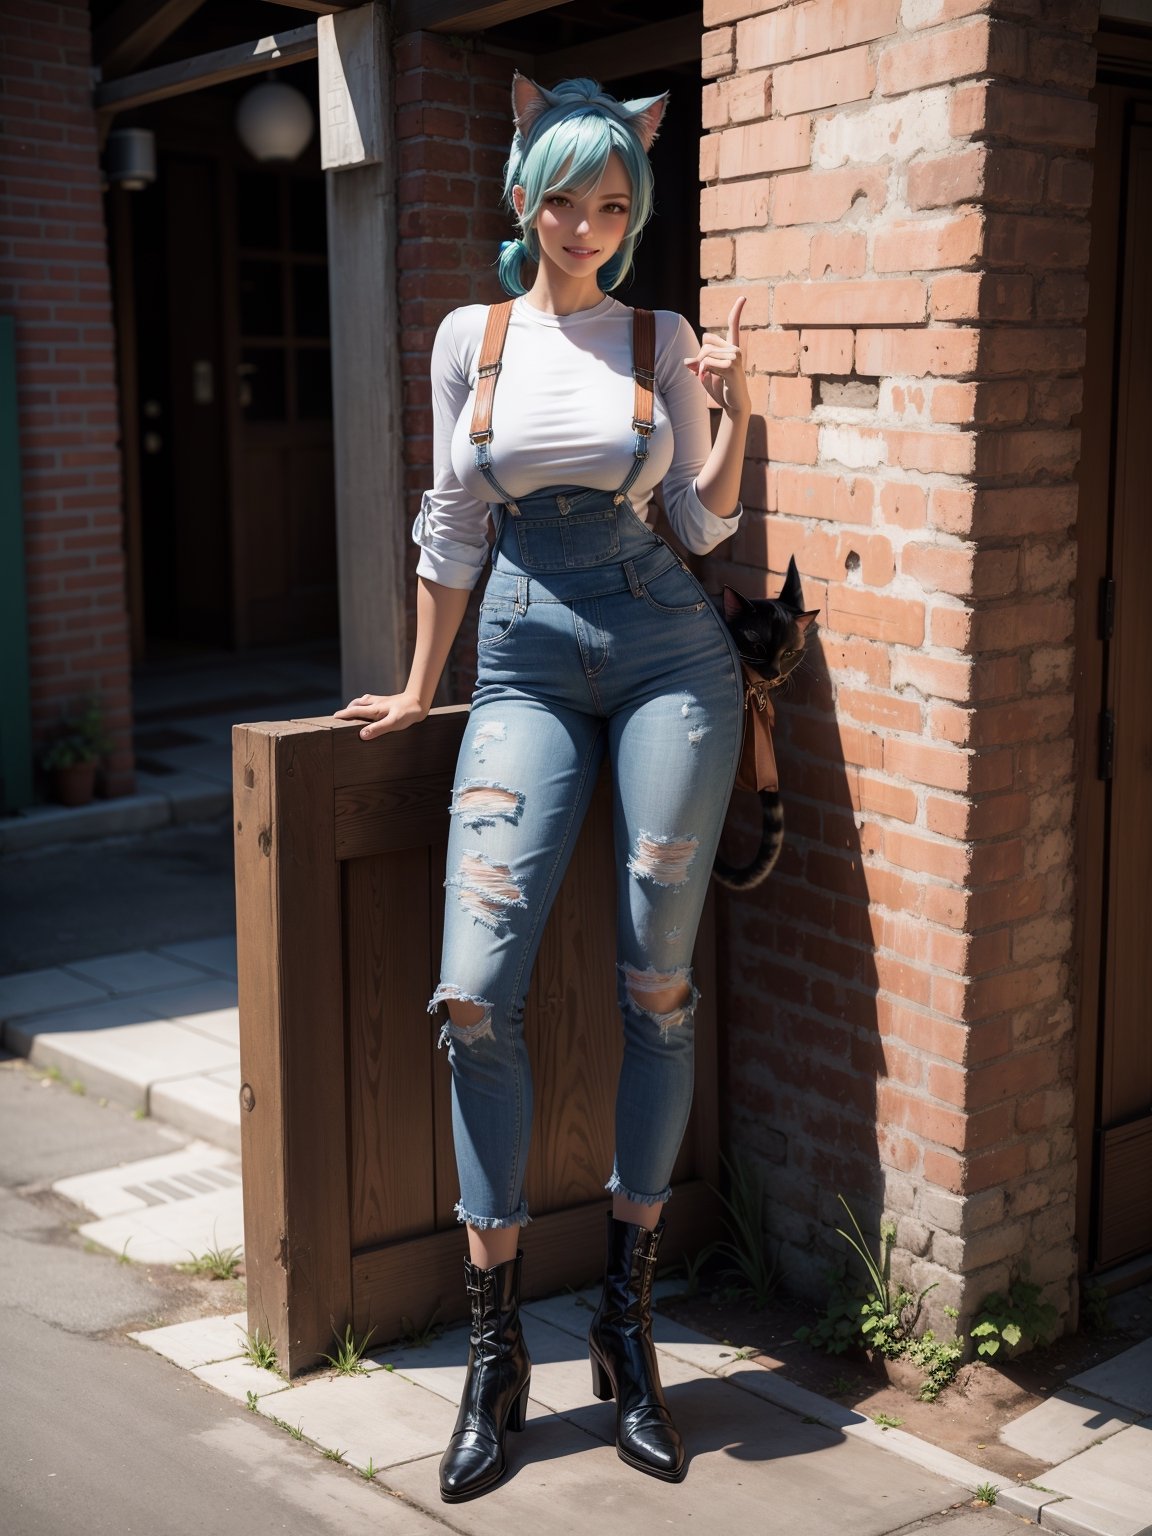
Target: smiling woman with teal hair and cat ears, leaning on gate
[{"x": 594, "y": 638}]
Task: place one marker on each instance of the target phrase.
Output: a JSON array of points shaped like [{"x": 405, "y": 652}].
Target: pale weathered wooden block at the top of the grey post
[{"x": 351, "y": 88}]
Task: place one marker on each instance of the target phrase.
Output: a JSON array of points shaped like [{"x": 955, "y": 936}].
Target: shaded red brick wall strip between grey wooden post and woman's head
[{"x": 454, "y": 128}]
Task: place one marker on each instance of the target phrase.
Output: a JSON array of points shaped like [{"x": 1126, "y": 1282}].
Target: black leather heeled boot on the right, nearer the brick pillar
[{"x": 624, "y": 1357}]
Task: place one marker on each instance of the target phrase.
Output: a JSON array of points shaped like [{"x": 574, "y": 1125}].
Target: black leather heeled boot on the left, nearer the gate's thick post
[{"x": 497, "y": 1388}]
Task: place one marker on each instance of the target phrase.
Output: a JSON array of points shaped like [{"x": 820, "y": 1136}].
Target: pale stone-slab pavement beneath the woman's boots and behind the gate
[{"x": 157, "y": 1030}]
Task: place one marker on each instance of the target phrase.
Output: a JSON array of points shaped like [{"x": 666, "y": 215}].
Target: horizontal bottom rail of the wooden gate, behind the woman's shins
[{"x": 425, "y": 1277}]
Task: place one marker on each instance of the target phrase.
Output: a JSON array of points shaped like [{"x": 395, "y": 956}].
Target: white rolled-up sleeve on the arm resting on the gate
[{"x": 451, "y": 526}]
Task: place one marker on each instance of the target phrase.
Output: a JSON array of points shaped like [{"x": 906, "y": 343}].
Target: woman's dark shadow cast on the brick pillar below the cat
[{"x": 801, "y": 1021}]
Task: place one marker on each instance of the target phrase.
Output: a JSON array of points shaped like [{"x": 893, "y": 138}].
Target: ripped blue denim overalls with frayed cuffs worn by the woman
[{"x": 641, "y": 667}]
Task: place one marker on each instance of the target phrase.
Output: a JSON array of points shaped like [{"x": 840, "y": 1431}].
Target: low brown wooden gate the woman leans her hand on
[{"x": 346, "y": 1139}]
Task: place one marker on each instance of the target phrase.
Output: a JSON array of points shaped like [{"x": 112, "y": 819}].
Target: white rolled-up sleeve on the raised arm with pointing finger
[{"x": 687, "y": 405}]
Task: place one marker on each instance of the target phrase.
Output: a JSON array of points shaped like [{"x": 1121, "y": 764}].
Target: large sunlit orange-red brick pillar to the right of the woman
[{"x": 902, "y": 193}]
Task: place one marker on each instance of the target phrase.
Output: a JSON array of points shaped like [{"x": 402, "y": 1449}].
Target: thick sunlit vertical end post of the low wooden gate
[{"x": 294, "y": 1139}]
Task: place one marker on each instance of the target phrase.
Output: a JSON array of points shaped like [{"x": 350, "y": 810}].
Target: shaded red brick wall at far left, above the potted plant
[{"x": 55, "y": 279}]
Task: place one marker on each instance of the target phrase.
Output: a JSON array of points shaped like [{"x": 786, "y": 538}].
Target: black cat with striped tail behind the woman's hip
[{"x": 770, "y": 635}]
